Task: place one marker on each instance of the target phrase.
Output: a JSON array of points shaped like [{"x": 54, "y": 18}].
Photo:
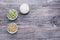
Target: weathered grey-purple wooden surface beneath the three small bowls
[{"x": 42, "y": 22}]
